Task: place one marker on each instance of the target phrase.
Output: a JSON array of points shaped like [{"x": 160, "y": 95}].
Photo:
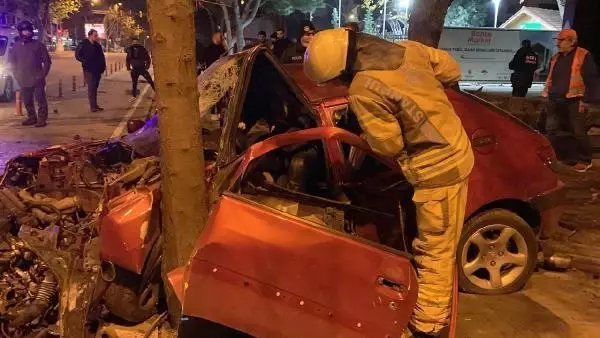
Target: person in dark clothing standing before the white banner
[{"x": 524, "y": 64}]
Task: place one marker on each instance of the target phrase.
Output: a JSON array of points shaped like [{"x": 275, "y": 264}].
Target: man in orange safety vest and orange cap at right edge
[{"x": 572, "y": 73}]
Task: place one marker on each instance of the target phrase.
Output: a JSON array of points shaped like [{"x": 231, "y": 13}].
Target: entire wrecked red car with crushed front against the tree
[{"x": 309, "y": 233}]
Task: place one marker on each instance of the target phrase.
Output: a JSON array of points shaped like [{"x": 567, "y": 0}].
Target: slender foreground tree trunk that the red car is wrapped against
[{"x": 184, "y": 201}]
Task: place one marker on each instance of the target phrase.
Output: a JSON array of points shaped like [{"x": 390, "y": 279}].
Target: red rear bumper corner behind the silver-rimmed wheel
[{"x": 551, "y": 206}]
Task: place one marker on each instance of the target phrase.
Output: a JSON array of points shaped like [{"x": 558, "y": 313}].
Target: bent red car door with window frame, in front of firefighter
[{"x": 275, "y": 269}]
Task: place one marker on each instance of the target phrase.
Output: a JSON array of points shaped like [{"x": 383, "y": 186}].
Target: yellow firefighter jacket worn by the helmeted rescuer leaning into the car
[{"x": 406, "y": 114}]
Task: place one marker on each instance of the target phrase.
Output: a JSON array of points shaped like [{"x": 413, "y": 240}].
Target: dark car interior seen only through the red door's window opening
[{"x": 297, "y": 180}]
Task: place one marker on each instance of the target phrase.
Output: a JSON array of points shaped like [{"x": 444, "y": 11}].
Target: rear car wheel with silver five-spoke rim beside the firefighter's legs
[{"x": 497, "y": 253}]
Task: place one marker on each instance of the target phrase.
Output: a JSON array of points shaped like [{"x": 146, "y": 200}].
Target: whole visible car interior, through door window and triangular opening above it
[{"x": 297, "y": 180}]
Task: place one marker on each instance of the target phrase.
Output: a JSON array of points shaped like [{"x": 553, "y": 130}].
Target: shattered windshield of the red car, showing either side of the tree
[{"x": 216, "y": 87}]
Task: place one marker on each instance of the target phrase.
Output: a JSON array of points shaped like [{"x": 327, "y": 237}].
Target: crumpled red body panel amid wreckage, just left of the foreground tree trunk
[{"x": 129, "y": 227}]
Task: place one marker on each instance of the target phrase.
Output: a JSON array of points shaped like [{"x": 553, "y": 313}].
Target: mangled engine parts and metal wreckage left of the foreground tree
[{"x": 51, "y": 204}]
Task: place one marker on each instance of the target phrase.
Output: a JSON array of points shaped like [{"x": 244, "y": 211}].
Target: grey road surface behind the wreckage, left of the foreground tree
[{"x": 70, "y": 118}]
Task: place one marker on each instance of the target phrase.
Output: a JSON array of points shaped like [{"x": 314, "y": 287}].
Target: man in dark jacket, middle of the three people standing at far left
[{"x": 90, "y": 54}]
